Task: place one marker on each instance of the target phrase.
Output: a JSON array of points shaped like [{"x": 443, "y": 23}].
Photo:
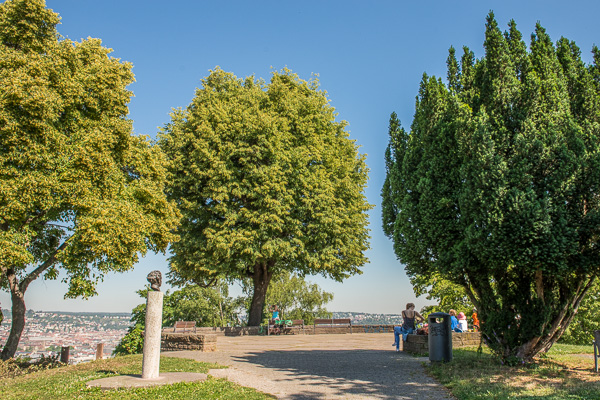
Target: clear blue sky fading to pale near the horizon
[{"x": 370, "y": 57}]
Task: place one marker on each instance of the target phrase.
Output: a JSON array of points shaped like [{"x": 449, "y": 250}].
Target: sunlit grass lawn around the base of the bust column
[{"x": 70, "y": 382}]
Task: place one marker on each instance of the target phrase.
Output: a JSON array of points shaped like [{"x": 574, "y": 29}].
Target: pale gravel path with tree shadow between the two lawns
[{"x": 311, "y": 367}]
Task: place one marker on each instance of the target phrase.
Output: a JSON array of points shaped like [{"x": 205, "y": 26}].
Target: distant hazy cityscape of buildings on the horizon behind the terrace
[{"x": 47, "y": 331}]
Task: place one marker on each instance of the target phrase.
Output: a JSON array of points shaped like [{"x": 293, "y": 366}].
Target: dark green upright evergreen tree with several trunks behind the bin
[{"x": 496, "y": 186}]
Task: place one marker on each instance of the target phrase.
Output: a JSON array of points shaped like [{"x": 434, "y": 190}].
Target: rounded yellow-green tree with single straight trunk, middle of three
[{"x": 267, "y": 180}]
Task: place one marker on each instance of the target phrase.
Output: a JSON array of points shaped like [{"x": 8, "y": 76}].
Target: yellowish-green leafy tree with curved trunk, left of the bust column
[{"x": 78, "y": 192}]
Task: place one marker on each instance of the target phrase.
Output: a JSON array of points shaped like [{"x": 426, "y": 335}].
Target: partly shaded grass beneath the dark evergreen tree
[{"x": 566, "y": 372}]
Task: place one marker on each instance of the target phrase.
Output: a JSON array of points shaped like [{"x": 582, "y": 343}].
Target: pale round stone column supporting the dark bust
[{"x": 151, "y": 361}]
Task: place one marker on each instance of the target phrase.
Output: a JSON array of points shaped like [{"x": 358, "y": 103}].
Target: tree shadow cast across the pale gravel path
[{"x": 370, "y": 373}]
